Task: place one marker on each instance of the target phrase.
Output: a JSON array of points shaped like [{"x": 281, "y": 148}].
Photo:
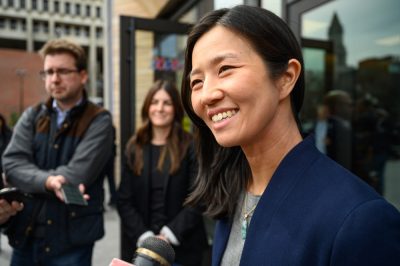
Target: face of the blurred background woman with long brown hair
[{"x": 161, "y": 110}]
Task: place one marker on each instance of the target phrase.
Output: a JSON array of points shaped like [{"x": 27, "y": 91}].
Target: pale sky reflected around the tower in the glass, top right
[{"x": 371, "y": 25}]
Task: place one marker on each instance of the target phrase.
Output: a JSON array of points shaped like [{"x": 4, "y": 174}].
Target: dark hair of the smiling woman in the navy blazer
[{"x": 224, "y": 172}]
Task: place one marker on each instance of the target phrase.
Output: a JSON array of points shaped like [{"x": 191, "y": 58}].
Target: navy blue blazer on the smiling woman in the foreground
[{"x": 315, "y": 212}]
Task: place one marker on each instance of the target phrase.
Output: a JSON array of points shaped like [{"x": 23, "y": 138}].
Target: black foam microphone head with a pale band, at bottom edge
[{"x": 154, "y": 252}]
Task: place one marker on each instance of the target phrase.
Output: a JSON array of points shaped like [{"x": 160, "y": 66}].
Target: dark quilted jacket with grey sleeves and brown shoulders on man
[{"x": 77, "y": 150}]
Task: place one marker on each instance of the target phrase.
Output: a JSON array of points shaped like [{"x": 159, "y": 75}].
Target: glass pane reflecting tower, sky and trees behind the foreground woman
[{"x": 365, "y": 40}]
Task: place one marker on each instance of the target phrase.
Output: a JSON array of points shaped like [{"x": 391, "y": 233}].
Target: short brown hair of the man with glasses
[{"x": 60, "y": 46}]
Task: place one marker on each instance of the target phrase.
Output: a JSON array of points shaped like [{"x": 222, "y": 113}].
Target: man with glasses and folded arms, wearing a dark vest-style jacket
[{"x": 67, "y": 139}]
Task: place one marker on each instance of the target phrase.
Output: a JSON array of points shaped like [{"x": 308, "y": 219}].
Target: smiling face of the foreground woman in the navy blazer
[{"x": 231, "y": 89}]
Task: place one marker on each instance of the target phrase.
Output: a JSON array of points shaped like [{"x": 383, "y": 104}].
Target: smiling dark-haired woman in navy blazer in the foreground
[{"x": 277, "y": 198}]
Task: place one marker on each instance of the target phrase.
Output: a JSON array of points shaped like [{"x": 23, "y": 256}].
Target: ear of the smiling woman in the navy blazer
[{"x": 289, "y": 77}]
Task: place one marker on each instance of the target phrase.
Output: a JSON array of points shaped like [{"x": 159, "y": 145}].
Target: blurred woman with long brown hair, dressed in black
[{"x": 160, "y": 166}]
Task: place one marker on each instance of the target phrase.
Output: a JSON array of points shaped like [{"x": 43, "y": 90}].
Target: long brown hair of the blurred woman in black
[{"x": 177, "y": 142}]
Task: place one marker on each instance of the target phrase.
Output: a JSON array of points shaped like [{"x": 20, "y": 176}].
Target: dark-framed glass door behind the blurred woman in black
[{"x": 150, "y": 49}]
